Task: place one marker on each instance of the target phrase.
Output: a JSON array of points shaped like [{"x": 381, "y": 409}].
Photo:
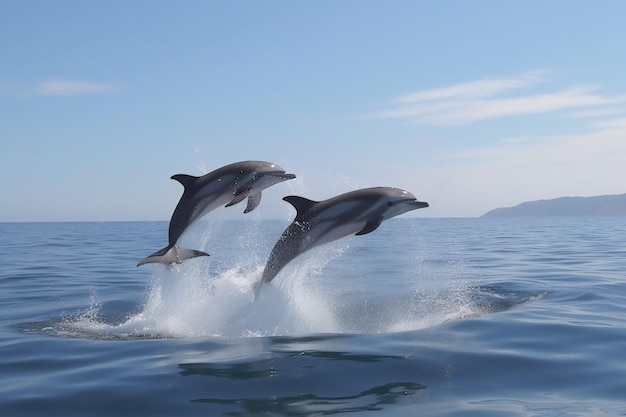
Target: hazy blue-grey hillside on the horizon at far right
[{"x": 605, "y": 205}]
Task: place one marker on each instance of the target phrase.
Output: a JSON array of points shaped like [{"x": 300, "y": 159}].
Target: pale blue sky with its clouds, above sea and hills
[{"x": 468, "y": 105}]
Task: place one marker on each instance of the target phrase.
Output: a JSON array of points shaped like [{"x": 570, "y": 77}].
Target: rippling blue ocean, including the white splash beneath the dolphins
[{"x": 423, "y": 317}]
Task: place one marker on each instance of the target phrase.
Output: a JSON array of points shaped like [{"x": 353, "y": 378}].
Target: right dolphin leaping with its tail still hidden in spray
[{"x": 318, "y": 222}]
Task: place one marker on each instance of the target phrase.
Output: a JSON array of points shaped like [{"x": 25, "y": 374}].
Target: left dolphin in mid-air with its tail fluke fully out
[{"x": 228, "y": 185}]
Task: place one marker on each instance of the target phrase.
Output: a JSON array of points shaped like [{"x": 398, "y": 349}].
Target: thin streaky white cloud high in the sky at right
[{"x": 482, "y": 99}]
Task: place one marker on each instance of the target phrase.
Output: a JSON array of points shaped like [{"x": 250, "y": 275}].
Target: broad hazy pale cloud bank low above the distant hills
[{"x": 520, "y": 169}]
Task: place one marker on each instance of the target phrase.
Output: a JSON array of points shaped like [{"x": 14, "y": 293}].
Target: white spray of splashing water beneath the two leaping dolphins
[{"x": 321, "y": 291}]
